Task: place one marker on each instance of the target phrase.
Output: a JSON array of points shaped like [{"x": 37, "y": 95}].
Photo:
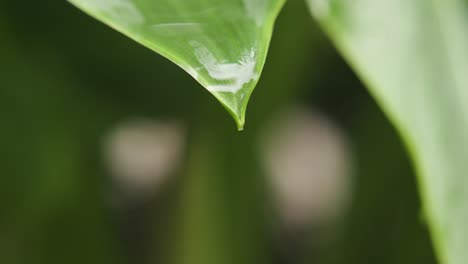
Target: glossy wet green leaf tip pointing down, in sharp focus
[{"x": 221, "y": 43}]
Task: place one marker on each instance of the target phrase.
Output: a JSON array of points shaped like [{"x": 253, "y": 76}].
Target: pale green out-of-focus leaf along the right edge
[{"x": 413, "y": 55}]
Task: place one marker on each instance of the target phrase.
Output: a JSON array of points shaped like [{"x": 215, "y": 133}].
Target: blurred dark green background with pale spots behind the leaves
[{"x": 85, "y": 109}]
